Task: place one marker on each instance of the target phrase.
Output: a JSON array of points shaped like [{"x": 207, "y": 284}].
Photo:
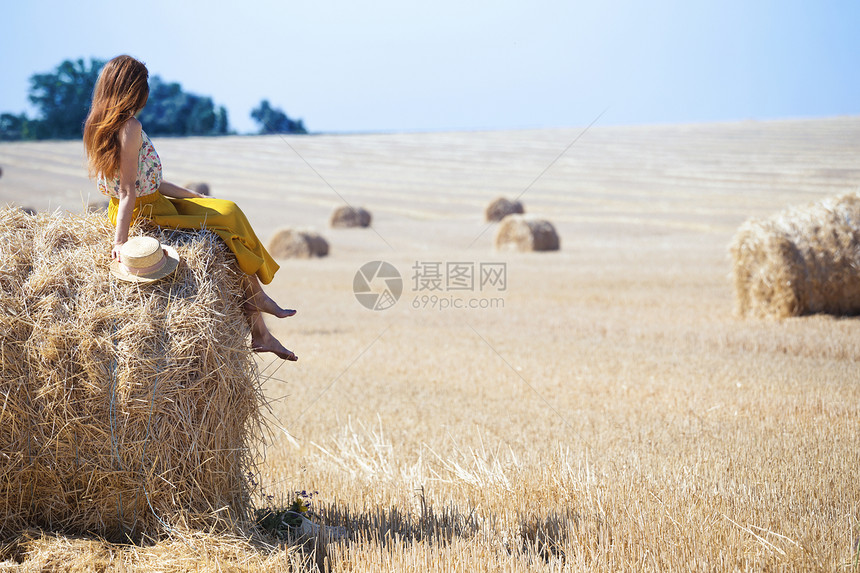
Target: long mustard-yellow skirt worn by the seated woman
[{"x": 218, "y": 215}]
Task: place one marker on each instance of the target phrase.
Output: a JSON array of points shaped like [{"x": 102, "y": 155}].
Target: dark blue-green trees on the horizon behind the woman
[{"x": 62, "y": 99}]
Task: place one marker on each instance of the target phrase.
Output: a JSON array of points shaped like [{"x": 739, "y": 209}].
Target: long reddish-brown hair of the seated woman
[{"x": 120, "y": 92}]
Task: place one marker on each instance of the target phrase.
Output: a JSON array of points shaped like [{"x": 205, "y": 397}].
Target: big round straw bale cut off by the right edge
[{"x": 804, "y": 260}]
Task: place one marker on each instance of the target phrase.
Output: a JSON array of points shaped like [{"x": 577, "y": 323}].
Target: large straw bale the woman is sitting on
[{"x": 126, "y": 407}]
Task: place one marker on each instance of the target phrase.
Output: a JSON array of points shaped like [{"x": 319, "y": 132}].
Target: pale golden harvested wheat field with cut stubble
[{"x": 600, "y": 407}]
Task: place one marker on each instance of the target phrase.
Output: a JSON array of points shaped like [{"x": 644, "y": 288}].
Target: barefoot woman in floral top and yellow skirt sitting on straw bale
[{"x": 129, "y": 171}]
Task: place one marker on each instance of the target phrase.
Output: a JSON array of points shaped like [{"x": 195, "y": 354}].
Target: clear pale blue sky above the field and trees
[{"x": 400, "y": 65}]
